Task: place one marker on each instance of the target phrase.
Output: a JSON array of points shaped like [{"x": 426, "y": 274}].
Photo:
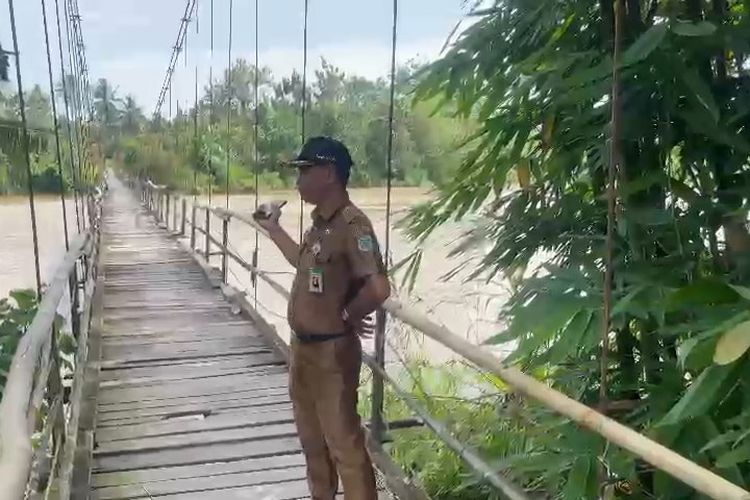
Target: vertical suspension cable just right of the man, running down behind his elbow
[{"x": 378, "y": 395}]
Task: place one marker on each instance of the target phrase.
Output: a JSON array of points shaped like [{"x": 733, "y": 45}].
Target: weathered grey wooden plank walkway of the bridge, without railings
[{"x": 192, "y": 399}]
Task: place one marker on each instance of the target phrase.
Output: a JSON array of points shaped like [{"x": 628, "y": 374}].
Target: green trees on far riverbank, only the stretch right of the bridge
[{"x": 350, "y": 108}]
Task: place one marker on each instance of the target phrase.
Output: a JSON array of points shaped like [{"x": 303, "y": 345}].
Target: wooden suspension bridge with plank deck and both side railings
[{"x": 180, "y": 389}]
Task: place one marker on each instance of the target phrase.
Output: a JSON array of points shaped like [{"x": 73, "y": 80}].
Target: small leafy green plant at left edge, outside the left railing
[{"x": 16, "y": 313}]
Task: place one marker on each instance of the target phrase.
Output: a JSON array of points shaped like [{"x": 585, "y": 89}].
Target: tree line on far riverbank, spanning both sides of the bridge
[{"x": 195, "y": 148}]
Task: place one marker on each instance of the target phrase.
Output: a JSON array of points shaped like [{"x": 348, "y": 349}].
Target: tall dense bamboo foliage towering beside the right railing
[{"x": 537, "y": 77}]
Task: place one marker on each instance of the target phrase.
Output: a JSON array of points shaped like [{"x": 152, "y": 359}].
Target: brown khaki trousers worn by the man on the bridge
[{"x": 324, "y": 377}]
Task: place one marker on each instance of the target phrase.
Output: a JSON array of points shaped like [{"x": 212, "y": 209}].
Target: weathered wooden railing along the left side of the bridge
[{"x": 39, "y": 412}]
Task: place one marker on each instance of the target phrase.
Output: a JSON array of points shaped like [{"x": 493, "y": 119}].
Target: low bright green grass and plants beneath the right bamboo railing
[{"x": 549, "y": 457}]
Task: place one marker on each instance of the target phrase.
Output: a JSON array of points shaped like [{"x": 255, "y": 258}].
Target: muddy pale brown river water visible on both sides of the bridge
[{"x": 468, "y": 308}]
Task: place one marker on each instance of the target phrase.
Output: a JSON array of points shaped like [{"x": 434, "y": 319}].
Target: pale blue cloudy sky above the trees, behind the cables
[{"x": 129, "y": 41}]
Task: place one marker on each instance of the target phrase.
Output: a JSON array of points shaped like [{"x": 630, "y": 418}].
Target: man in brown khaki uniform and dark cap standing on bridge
[{"x": 340, "y": 280}]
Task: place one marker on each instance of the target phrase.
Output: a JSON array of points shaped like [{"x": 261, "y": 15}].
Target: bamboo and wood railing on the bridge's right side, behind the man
[{"x": 158, "y": 200}]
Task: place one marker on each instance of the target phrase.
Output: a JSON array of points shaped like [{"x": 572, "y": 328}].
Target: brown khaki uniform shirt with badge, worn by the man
[{"x": 338, "y": 252}]
